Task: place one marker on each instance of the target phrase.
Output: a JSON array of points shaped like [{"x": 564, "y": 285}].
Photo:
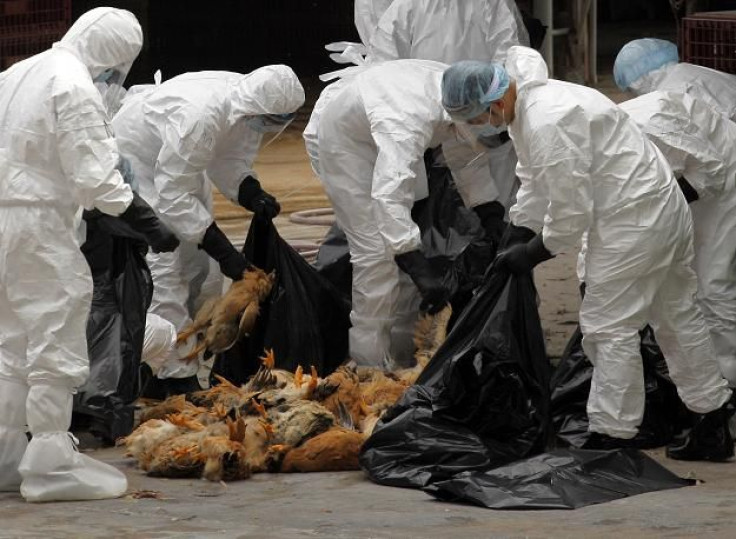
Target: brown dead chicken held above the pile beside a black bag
[{"x": 219, "y": 324}]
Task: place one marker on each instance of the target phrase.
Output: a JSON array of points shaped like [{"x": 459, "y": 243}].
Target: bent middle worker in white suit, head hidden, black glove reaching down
[{"x": 370, "y": 141}]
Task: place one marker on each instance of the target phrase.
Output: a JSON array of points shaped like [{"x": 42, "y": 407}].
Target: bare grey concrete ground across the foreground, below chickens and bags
[{"x": 347, "y": 505}]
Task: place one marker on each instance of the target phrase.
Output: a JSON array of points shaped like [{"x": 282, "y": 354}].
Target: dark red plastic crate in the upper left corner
[{"x": 28, "y": 27}]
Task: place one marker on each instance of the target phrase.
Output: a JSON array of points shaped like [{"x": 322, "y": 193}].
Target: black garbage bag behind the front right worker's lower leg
[{"x": 664, "y": 414}]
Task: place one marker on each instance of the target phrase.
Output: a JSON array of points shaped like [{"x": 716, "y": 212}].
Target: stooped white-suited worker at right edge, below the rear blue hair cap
[{"x": 699, "y": 143}]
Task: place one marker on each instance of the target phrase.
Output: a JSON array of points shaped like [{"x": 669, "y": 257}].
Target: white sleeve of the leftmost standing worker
[{"x": 87, "y": 149}]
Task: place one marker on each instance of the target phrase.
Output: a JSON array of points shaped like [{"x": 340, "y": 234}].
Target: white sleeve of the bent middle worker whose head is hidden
[{"x": 400, "y": 156}]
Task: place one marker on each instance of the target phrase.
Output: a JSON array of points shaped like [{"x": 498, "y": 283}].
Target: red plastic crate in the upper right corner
[{"x": 709, "y": 39}]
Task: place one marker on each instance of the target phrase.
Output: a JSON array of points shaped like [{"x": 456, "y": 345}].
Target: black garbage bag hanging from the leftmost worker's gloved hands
[{"x": 116, "y": 326}]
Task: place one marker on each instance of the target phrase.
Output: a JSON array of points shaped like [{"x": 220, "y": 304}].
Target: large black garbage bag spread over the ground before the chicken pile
[{"x": 473, "y": 427}]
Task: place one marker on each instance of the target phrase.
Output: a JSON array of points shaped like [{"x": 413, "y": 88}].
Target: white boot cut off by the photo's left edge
[{"x": 13, "y": 439}]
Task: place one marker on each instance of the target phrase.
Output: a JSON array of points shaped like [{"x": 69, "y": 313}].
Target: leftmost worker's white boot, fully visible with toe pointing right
[{"x": 52, "y": 468}]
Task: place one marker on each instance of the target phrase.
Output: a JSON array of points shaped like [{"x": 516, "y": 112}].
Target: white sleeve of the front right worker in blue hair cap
[{"x": 562, "y": 164}]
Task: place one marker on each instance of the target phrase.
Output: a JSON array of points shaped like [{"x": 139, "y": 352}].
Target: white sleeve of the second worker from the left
[{"x": 187, "y": 149}]
